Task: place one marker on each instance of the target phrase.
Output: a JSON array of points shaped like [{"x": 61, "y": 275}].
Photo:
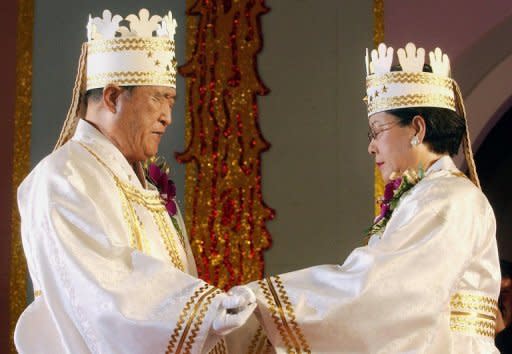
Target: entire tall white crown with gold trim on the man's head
[{"x": 131, "y": 51}]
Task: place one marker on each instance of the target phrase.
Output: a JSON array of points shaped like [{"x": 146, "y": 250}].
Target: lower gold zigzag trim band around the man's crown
[{"x": 132, "y": 78}]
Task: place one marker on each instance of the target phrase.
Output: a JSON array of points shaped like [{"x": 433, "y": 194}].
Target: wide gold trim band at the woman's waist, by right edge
[{"x": 473, "y": 314}]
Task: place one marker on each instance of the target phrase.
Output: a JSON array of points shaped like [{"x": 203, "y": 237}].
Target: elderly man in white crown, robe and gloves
[{"x": 112, "y": 272}]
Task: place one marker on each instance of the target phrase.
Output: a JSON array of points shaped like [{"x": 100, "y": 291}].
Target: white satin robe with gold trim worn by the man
[{"x": 111, "y": 273}]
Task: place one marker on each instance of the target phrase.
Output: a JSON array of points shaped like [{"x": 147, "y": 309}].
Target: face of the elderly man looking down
[{"x": 142, "y": 116}]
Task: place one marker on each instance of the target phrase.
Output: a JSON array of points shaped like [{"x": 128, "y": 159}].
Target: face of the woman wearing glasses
[{"x": 390, "y": 144}]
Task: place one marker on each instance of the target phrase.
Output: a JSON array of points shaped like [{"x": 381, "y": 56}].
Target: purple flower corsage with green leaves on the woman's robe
[{"x": 393, "y": 191}]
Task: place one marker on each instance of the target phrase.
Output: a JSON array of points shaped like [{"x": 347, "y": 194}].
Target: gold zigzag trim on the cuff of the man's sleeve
[{"x": 205, "y": 293}]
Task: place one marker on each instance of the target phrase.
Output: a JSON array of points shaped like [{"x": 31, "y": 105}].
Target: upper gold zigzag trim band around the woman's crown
[{"x": 400, "y": 77}]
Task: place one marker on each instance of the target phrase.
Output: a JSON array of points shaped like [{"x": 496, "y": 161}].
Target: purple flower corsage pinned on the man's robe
[{"x": 157, "y": 171}]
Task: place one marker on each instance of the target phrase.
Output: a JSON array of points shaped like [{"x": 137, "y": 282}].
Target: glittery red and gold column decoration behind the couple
[{"x": 225, "y": 212}]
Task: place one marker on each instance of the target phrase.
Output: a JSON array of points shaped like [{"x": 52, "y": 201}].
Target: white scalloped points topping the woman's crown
[{"x": 411, "y": 59}]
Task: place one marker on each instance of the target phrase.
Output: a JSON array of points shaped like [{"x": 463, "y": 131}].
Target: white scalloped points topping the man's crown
[{"x": 143, "y": 26}]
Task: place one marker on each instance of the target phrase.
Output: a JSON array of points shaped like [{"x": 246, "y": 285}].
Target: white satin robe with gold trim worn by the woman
[{"x": 428, "y": 284}]
